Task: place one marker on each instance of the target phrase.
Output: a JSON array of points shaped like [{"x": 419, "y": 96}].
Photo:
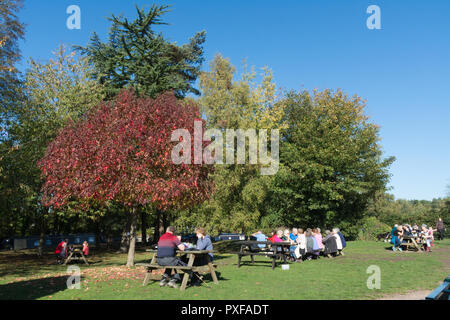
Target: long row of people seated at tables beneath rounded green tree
[{"x": 307, "y": 244}]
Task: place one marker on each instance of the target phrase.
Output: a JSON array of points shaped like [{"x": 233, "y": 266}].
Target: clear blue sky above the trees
[{"x": 403, "y": 70}]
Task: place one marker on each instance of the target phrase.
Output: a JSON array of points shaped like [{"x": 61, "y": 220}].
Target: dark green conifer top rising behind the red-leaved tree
[{"x": 136, "y": 56}]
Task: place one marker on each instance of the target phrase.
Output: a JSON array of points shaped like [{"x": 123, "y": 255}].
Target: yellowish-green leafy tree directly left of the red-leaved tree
[{"x": 54, "y": 92}]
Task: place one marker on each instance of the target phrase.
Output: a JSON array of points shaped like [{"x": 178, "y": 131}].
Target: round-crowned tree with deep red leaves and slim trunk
[{"x": 121, "y": 151}]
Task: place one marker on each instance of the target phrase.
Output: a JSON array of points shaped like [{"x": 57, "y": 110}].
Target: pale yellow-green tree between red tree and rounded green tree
[{"x": 245, "y": 103}]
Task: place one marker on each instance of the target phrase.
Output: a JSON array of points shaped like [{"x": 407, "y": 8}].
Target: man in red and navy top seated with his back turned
[{"x": 166, "y": 256}]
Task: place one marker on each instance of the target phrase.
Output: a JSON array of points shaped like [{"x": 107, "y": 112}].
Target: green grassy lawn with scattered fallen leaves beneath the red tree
[{"x": 23, "y": 276}]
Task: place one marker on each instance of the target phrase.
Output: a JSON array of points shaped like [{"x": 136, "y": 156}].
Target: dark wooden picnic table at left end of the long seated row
[{"x": 274, "y": 250}]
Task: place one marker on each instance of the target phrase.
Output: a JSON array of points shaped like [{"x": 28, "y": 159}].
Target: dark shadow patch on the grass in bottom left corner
[{"x": 33, "y": 289}]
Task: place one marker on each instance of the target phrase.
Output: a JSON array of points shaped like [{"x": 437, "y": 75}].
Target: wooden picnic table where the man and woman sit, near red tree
[{"x": 191, "y": 255}]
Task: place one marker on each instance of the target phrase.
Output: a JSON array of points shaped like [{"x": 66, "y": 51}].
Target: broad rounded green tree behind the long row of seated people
[{"x": 331, "y": 160}]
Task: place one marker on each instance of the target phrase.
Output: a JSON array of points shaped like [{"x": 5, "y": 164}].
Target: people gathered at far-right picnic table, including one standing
[{"x": 424, "y": 234}]
